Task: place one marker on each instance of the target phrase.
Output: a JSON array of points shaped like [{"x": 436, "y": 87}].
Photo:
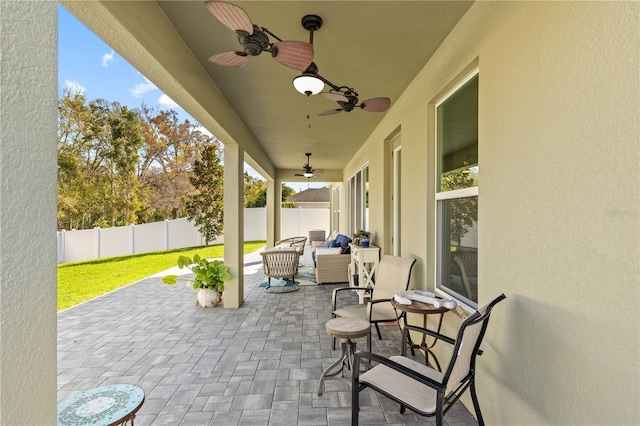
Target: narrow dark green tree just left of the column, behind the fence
[{"x": 205, "y": 207}]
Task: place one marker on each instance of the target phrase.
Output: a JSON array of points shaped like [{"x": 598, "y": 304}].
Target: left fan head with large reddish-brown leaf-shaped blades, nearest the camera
[{"x": 255, "y": 40}]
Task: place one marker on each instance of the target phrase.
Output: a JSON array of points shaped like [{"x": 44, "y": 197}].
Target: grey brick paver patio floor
[{"x": 256, "y": 365}]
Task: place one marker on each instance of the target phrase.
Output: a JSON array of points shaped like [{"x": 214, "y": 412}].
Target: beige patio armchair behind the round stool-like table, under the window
[{"x": 392, "y": 276}]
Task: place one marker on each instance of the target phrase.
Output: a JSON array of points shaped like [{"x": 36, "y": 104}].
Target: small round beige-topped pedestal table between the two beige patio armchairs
[{"x": 344, "y": 329}]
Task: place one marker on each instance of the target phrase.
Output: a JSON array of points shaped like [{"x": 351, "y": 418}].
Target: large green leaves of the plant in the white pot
[{"x": 207, "y": 274}]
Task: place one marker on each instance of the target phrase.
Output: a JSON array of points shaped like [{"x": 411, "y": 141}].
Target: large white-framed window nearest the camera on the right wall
[{"x": 457, "y": 192}]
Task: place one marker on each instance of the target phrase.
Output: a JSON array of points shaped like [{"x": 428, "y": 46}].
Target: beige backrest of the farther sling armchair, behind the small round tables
[{"x": 392, "y": 276}]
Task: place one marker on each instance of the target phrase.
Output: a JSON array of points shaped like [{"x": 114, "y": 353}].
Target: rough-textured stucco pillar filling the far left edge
[{"x": 28, "y": 113}]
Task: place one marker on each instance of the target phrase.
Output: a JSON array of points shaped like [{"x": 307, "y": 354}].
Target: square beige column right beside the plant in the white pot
[{"x": 234, "y": 224}]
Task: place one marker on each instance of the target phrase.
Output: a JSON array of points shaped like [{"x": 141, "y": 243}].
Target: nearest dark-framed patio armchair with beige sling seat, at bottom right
[{"x": 420, "y": 388}]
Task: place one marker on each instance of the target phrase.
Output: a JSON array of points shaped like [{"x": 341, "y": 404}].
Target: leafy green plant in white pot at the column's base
[{"x": 208, "y": 280}]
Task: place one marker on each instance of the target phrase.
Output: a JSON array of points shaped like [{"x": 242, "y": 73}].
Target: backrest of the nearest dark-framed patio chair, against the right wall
[{"x": 468, "y": 342}]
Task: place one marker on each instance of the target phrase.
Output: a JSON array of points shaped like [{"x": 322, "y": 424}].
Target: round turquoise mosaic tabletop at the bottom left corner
[{"x": 108, "y": 405}]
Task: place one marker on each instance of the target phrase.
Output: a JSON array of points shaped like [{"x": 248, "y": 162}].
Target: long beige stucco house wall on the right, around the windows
[{"x": 559, "y": 202}]
